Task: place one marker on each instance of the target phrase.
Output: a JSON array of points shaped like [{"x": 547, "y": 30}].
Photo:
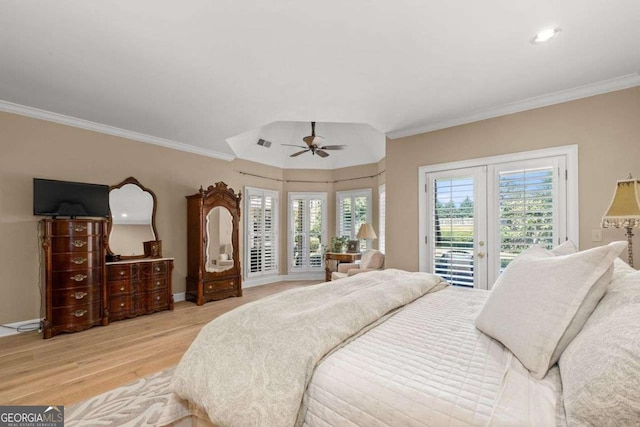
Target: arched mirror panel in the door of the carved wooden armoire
[{"x": 219, "y": 250}]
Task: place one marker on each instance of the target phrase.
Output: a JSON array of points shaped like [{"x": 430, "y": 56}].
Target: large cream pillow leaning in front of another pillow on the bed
[{"x": 541, "y": 301}]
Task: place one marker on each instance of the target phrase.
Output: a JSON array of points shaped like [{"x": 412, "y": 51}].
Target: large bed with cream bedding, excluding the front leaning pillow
[{"x": 426, "y": 364}]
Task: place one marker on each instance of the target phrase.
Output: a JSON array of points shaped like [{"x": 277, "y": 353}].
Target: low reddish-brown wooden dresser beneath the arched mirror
[{"x": 138, "y": 287}]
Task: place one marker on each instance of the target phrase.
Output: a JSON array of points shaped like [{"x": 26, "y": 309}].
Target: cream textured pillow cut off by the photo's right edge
[{"x": 600, "y": 369}]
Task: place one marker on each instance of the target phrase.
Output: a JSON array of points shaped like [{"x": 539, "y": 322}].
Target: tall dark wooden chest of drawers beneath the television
[{"x": 75, "y": 291}]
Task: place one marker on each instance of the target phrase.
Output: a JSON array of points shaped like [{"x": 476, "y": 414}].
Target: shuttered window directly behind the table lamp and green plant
[{"x": 353, "y": 210}]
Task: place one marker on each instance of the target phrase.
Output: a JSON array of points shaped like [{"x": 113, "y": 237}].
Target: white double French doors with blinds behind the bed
[{"x": 476, "y": 219}]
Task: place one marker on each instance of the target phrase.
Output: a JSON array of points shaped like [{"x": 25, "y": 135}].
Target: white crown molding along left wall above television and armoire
[{"x": 23, "y": 110}]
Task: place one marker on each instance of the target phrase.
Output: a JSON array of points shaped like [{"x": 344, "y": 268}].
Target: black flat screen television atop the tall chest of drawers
[{"x": 69, "y": 199}]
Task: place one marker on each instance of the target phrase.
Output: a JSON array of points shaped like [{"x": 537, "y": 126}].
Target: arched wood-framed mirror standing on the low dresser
[{"x": 132, "y": 221}]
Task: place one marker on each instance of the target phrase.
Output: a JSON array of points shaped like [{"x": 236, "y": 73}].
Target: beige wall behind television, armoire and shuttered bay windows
[{"x": 35, "y": 148}]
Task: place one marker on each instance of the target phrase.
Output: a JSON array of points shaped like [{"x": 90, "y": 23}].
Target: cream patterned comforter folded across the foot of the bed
[{"x": 250, "y": 366}]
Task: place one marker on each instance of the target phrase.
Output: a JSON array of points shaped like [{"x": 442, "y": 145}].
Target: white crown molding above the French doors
[{"x": 619, "y": 83}]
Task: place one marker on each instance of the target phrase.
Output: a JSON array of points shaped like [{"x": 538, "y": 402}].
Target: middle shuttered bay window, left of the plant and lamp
[{"x": 307, "y": 231}]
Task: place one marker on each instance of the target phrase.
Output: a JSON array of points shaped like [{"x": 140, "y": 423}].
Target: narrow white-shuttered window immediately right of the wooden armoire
[{"x": 261, "y": 232}]
